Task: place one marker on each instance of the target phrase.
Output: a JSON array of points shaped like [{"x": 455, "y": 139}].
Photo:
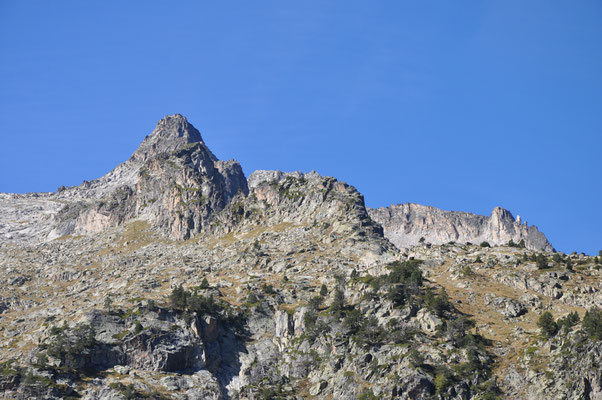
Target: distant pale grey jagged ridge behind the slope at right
[{"x": 406, "y": 224}]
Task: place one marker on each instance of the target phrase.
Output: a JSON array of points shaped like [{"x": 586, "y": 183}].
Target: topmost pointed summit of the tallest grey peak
[{"x": 171, "y": 133}]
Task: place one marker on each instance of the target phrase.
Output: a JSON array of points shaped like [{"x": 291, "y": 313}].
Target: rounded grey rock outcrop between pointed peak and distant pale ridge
[{"x": 331, "y": 207}]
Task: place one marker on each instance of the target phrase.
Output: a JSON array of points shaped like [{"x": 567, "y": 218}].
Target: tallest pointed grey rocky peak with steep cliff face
[{"x": 172, "y": 180}]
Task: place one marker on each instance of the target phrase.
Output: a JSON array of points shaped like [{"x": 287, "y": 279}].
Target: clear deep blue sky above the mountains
[{"x": 460, "y": 105}]
